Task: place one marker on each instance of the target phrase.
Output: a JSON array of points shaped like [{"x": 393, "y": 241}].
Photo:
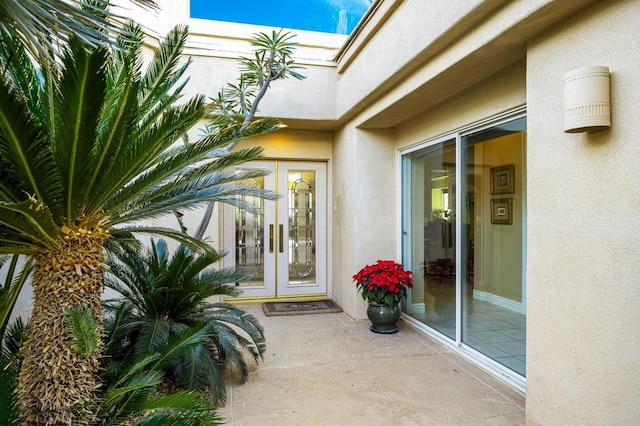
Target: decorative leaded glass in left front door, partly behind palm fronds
[{"x": 249, "y": 243}]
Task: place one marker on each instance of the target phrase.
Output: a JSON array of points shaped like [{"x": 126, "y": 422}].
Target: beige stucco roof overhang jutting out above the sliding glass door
[{"x": 413, "y": 56}]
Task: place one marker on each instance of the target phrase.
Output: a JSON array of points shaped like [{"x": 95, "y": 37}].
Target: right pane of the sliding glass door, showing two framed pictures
[{"x": 493, "y": 308}]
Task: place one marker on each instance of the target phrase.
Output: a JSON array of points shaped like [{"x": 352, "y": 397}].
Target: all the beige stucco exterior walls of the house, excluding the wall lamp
[{"x": 583, "y": 201}]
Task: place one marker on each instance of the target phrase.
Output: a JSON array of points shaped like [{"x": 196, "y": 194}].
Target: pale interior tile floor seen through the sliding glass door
[{"x": 492, "y": 330}]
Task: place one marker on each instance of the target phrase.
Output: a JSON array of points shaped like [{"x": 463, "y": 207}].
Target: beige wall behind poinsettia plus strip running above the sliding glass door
[{"x": 366, "y": 184}]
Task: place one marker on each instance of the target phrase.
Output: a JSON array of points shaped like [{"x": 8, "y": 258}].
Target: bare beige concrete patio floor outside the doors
[{"x": 328, "y": 369}]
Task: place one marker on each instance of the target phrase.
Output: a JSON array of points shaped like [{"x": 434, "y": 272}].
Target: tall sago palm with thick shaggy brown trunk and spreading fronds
[{"x": 87, "y": 154}]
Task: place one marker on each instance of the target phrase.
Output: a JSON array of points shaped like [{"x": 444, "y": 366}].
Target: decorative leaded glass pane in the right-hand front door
[{"x": 302, "y": 226}]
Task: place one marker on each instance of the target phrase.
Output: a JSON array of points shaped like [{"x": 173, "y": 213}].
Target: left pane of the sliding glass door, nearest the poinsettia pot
[{"x": 430, "y": 215}]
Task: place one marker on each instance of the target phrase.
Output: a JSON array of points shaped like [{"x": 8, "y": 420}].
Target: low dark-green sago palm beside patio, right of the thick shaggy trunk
[{"x": 165, "y": 295}]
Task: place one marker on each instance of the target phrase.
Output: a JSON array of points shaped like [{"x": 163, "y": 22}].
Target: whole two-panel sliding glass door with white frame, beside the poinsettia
[{"x": 464, "y": 215}]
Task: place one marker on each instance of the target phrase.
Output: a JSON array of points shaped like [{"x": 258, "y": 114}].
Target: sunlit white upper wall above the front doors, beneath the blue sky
[{"x": 215, "y": 48}]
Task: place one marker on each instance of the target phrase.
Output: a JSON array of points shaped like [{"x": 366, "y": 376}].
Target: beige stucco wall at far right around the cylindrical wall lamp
[{"x": 584, "y": 212}]
